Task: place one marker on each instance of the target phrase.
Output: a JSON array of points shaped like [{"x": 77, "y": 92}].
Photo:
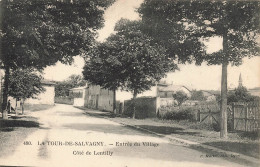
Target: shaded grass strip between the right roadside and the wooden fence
[{"x": 246, "y": 143}]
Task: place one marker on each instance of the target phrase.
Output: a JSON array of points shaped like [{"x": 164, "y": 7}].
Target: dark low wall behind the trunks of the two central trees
[{"x": 145, "y": 107}]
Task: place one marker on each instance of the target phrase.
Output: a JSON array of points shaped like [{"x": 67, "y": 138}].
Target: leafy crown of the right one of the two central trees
[{"x": 144, "y": 61}]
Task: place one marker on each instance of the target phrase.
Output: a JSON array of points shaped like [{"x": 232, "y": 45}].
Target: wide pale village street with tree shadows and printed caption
[{"x": 69, "y": 137}]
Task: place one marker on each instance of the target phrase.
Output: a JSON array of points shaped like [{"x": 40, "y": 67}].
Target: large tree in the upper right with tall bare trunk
[{"x": 237, "y": 22}]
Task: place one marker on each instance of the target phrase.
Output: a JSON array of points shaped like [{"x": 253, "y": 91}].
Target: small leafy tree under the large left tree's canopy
[{"x": 24, "y": 83}]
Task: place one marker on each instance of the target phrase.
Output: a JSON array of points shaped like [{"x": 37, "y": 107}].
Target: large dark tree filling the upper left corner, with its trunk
[{"x": 40, "y": 33}]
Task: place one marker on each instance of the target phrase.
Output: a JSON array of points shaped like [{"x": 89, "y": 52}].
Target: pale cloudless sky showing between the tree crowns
[{"x": 195, "y": 77}]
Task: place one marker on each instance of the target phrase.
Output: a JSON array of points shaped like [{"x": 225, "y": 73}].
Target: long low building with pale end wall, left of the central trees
[{"x": 93, "y": 96}]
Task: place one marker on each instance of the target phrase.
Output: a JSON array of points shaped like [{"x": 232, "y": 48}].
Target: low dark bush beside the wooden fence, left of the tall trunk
[{"x": 181, "y": 114}]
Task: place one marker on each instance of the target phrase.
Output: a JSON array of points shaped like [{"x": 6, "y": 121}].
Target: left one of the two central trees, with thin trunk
[{"x": 104, "y": 69}]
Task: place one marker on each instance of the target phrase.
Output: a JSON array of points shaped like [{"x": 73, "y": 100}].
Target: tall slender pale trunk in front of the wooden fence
[{"x": 223, "y": 105}]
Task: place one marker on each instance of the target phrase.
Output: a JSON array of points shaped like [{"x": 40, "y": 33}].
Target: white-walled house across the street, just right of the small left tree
[{"x": 46, "y": 97}]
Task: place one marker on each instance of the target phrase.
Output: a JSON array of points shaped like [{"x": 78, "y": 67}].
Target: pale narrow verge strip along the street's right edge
[{"x": 207, "y": 150}]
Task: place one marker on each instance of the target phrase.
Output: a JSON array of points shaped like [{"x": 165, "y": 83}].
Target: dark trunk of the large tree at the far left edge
[{"x": 5, "y": 92}]
